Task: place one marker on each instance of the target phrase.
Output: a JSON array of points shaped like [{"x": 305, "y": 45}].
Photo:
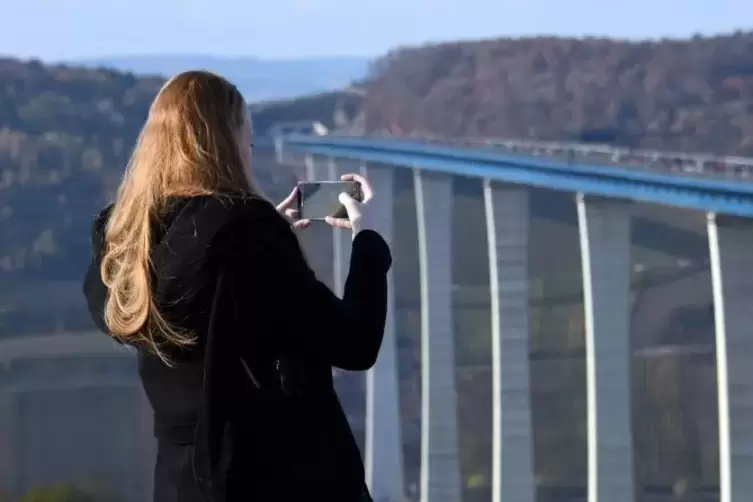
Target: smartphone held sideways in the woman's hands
[{"x": 319, "y": 199}]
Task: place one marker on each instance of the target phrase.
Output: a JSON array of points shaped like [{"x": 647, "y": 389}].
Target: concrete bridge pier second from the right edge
[{"x": 604, "y": 226}]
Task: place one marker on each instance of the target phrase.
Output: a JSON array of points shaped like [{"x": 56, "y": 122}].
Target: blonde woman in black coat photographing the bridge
[{"x": 236, "y": 337}]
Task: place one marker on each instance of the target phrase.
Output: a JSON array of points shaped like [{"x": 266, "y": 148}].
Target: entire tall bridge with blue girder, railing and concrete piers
[{"x": 608, "y": 188}]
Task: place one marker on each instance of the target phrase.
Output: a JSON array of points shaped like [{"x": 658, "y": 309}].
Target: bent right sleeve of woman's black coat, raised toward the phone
[{"x": 283, "y": 298}]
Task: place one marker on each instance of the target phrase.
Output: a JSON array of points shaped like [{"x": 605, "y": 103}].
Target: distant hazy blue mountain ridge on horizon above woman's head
[{"x": 258, "y": 79}]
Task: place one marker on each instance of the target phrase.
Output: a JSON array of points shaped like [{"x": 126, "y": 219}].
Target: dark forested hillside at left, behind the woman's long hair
[{"x": 65, "y": 137}]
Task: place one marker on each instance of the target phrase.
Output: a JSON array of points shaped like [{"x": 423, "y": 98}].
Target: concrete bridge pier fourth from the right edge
[{"x": 440, "y": 464}]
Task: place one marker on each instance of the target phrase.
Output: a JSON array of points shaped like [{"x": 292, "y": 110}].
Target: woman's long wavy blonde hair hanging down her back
[{"x": 188, "y": 146}]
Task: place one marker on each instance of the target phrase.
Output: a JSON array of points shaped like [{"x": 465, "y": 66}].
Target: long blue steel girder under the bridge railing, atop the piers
[{"x": 719, "y": 196}]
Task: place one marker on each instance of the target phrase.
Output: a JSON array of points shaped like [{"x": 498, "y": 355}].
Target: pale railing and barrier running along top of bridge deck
[{"x": 678, "y": 163}]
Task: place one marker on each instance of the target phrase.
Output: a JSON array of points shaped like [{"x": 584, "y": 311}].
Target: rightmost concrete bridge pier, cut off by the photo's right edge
[{"x": 731, "y": 256}]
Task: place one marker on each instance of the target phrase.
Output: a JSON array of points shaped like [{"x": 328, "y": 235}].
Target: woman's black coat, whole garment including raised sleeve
[{"x": 250, "y": 412}]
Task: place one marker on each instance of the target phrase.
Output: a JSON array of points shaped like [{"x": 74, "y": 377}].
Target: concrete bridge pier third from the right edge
[{"x": 507, "y": 222}]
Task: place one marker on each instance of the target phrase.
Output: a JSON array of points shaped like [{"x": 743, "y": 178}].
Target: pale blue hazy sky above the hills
[{"x": 73, "y": 29}]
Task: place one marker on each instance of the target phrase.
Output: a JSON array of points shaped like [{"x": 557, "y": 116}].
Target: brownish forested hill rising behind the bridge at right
[{"x": 692, "y": 95}]
